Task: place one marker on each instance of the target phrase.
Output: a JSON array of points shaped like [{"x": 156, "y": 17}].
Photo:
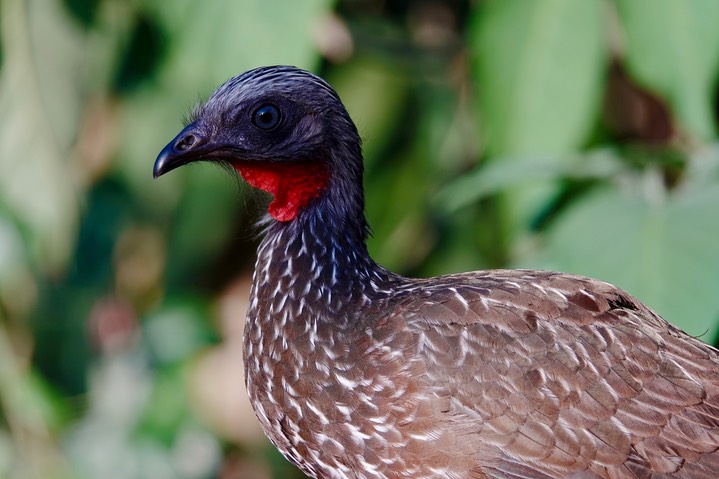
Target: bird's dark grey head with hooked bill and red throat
[{"x": 283, "y": 129}]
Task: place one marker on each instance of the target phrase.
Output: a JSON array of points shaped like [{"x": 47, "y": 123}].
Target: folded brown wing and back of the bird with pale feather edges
[{"x": 560, "y": 374}]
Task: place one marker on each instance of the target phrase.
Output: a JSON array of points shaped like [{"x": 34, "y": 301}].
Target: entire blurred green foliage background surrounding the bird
[{"x": 578, "y": 136}]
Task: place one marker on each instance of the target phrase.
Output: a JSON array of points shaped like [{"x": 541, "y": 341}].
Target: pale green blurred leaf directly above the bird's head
[{"x": 215, "y": 40}]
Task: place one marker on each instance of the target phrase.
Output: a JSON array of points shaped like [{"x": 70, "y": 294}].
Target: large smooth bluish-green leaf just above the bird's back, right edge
[{"x": 665, "y": 252}]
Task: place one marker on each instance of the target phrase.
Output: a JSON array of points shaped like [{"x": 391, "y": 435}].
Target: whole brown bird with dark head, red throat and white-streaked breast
[{"x": 356, "y": 372}]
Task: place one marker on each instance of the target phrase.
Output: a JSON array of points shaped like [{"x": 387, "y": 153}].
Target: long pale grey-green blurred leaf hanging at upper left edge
[{"x": 39, "y": 108}]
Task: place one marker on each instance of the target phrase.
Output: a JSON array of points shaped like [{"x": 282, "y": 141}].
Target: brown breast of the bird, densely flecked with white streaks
[{"x": 340, "y": 401}]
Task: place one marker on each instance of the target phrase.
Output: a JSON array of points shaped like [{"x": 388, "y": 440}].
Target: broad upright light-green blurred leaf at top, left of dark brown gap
[{"x": 538, "y": 69}]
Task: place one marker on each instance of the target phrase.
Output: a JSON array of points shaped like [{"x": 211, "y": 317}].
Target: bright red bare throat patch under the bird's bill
[{"x": 292, "y": 185}]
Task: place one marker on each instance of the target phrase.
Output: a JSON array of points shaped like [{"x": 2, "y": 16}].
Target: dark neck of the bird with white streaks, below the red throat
[{"x": 322, "y": 254}]
